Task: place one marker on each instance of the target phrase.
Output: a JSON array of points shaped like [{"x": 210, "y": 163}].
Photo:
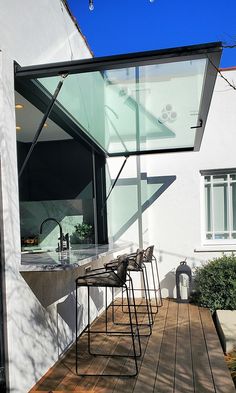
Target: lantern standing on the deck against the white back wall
[{"x": 183, "y": 282}]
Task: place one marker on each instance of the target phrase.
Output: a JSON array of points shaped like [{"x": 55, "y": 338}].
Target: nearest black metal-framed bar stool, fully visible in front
[{"x": 108, "y": 279}]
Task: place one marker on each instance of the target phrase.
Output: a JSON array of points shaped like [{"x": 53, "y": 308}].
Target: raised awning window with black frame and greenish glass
[{"x": 157, "y": 102}]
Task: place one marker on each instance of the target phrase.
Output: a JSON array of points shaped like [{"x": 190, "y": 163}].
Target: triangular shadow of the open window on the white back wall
[{"x": 152, "y": 188}]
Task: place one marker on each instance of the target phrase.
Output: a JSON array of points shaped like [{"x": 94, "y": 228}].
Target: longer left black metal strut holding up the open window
[{"x": 40, "y": 127}]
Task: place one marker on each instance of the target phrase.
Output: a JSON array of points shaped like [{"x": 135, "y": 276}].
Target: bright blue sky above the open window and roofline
[{"x": 124, "y": 26}]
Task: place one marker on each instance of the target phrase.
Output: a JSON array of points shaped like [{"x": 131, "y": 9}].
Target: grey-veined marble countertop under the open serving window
[{"x": 40, "y": 260}]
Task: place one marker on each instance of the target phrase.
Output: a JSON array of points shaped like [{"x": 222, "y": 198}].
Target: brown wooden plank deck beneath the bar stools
[{"x": 183, "y": 355}]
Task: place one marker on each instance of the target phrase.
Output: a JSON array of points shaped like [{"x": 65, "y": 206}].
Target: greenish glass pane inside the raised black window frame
[{"x": 140, "y": 108}]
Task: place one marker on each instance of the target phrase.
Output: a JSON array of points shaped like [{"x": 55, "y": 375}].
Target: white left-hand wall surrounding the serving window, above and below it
[{"x": 37, "y": 329}]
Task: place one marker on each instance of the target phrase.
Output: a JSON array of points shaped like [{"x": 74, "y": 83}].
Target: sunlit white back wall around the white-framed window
[{"x": 173, "y": 223}]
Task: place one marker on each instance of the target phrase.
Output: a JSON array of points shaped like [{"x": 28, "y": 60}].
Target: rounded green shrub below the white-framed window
[{"x": 215, "y": 284}]
